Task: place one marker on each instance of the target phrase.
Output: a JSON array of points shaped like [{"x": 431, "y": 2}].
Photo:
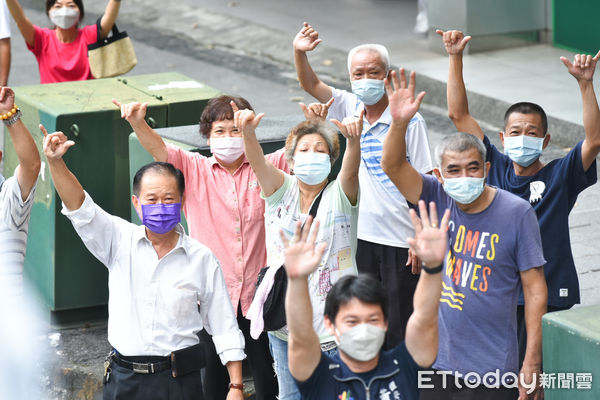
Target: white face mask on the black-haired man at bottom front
[{"x": 361, "y": 342}]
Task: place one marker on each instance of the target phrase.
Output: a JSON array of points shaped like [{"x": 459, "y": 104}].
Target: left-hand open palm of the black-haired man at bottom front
[{"x": 302, "y": 257}]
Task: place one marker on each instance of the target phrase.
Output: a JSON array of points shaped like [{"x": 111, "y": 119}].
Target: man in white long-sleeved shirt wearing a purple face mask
[{"x": 164, "y": 287}]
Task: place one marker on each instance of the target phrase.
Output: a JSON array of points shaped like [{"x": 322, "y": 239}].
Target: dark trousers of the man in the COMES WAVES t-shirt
[{"x": 452, "y": 391}]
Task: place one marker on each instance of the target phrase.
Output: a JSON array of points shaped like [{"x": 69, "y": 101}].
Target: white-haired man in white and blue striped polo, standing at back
[{"x": 383, "y": 223}]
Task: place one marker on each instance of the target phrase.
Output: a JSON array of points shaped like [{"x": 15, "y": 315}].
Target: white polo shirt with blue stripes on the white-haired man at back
[{"x": 383, "y": 216}]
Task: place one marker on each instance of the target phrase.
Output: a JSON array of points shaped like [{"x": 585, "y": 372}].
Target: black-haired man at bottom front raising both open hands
[{"x": 356, "y": 314}]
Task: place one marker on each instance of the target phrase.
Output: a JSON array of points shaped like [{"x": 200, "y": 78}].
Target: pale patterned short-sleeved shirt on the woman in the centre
[{"x": 337, "y": 217}]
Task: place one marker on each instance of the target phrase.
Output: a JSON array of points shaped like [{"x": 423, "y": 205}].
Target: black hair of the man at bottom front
[{"x": 363, "y": 287}]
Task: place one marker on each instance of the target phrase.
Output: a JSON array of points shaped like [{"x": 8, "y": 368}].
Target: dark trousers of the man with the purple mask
[{"x": 124, "y": 384}]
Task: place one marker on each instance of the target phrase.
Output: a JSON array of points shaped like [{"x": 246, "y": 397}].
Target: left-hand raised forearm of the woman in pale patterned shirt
[{"x": 269, "y": 178}]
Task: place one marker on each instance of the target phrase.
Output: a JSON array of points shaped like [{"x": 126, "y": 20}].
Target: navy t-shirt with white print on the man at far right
[{"x": 552, "y": 192}]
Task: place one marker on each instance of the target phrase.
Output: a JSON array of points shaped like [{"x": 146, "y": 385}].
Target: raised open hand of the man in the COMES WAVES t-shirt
[{"x": 403, "y": 104}]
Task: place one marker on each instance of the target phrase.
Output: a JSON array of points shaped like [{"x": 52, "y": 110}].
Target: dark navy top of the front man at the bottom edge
[{"x": 395, "y": 377}]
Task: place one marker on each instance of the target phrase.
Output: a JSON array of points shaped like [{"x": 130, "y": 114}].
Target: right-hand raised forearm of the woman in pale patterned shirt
[{"x": 351, "y": 128}]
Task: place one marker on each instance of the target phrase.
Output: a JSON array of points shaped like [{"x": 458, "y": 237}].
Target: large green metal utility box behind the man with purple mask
[{"x": 68, "y": 278}]
